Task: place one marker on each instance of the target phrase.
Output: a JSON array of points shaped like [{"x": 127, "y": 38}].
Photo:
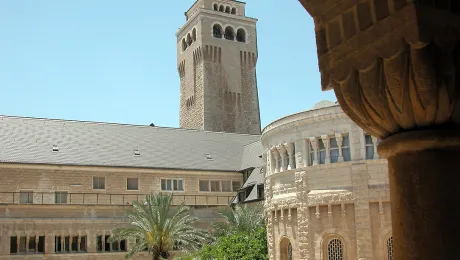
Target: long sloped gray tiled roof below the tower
[{"x": 31, "y": 140}]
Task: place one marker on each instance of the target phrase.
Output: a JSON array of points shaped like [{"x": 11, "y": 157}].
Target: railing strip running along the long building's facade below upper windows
[{"x": 63, "y": 198}]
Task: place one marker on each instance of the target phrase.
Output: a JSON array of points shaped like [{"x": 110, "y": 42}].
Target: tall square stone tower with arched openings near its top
[{"x": 216, "y": 57}]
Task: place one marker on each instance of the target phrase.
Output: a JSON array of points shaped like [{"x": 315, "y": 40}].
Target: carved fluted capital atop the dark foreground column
[{"x": 392, "y": 66}]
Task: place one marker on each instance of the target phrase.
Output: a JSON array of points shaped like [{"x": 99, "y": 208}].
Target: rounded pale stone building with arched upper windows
[{"x": 326, "y": 189}]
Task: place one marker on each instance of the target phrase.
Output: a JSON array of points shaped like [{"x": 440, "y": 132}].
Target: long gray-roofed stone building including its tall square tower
[{"x": 64, "y": 185}]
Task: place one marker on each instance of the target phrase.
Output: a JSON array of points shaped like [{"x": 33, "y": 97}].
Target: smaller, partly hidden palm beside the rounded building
[{"x": 240, "y": 219}]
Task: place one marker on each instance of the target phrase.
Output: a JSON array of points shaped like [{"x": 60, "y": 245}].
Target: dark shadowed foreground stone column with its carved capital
[{"x": 396, "y": 73}]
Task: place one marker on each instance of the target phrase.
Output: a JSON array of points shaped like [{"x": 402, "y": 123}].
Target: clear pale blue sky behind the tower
[{"x": 115, "y": 60}]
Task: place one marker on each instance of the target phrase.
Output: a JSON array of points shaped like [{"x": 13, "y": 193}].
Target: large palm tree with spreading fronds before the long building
[{"x": 157, "y": 226}]
